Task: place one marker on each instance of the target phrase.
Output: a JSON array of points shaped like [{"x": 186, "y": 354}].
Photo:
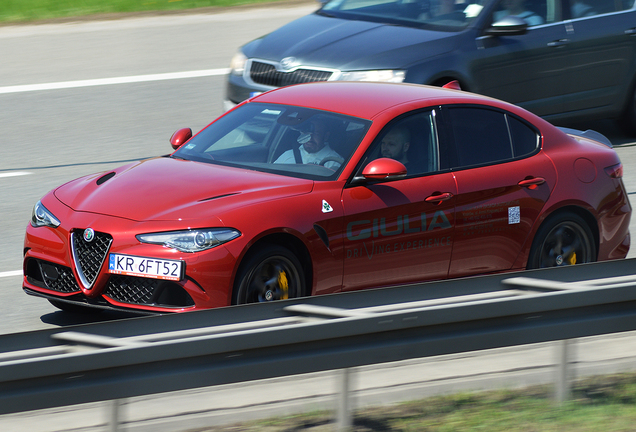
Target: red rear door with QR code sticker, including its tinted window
[{"x": 503, "y": 181}]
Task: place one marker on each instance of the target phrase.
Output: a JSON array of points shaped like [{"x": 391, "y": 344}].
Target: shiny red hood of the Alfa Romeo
[{"x": 170, "y": 189}]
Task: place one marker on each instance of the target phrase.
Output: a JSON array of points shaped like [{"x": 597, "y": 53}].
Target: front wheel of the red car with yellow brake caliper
[{"x": 270, "y": 273}]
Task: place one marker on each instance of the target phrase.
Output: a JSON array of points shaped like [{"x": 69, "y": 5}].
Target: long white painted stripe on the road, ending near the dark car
[{"x": 111, "y": 81}]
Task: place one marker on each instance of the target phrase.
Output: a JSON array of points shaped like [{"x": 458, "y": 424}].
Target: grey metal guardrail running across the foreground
[{"x": 134, "y": 357}]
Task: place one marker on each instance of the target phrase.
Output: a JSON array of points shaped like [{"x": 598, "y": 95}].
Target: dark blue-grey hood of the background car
[{"x": 321, "y": 41}]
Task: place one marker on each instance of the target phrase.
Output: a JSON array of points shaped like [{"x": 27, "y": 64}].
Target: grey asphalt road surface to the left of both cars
[{"x": 51, "y": 135}]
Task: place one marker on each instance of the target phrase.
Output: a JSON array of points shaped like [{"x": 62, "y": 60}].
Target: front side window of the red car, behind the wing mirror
[{"x": 411, "y": 140}]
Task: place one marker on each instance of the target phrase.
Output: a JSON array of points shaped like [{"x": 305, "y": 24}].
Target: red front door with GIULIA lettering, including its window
[{"x": 401, "y": 231}]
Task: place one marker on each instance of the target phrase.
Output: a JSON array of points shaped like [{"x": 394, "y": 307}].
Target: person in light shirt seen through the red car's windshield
[{"x": 314, "y": 147}]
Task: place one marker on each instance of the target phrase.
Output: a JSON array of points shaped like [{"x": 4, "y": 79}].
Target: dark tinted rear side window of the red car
[{"x": 484, "y": 136}]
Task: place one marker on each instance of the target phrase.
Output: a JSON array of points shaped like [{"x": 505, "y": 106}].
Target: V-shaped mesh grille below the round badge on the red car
[{"x": 89, "y": 255}]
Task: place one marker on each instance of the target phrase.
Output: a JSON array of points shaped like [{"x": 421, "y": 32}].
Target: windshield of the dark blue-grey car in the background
[{"x": 445, "y": 14}]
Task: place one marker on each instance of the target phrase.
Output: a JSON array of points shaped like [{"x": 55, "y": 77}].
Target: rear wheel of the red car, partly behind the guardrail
[{"x": 564, "y": 239}]
